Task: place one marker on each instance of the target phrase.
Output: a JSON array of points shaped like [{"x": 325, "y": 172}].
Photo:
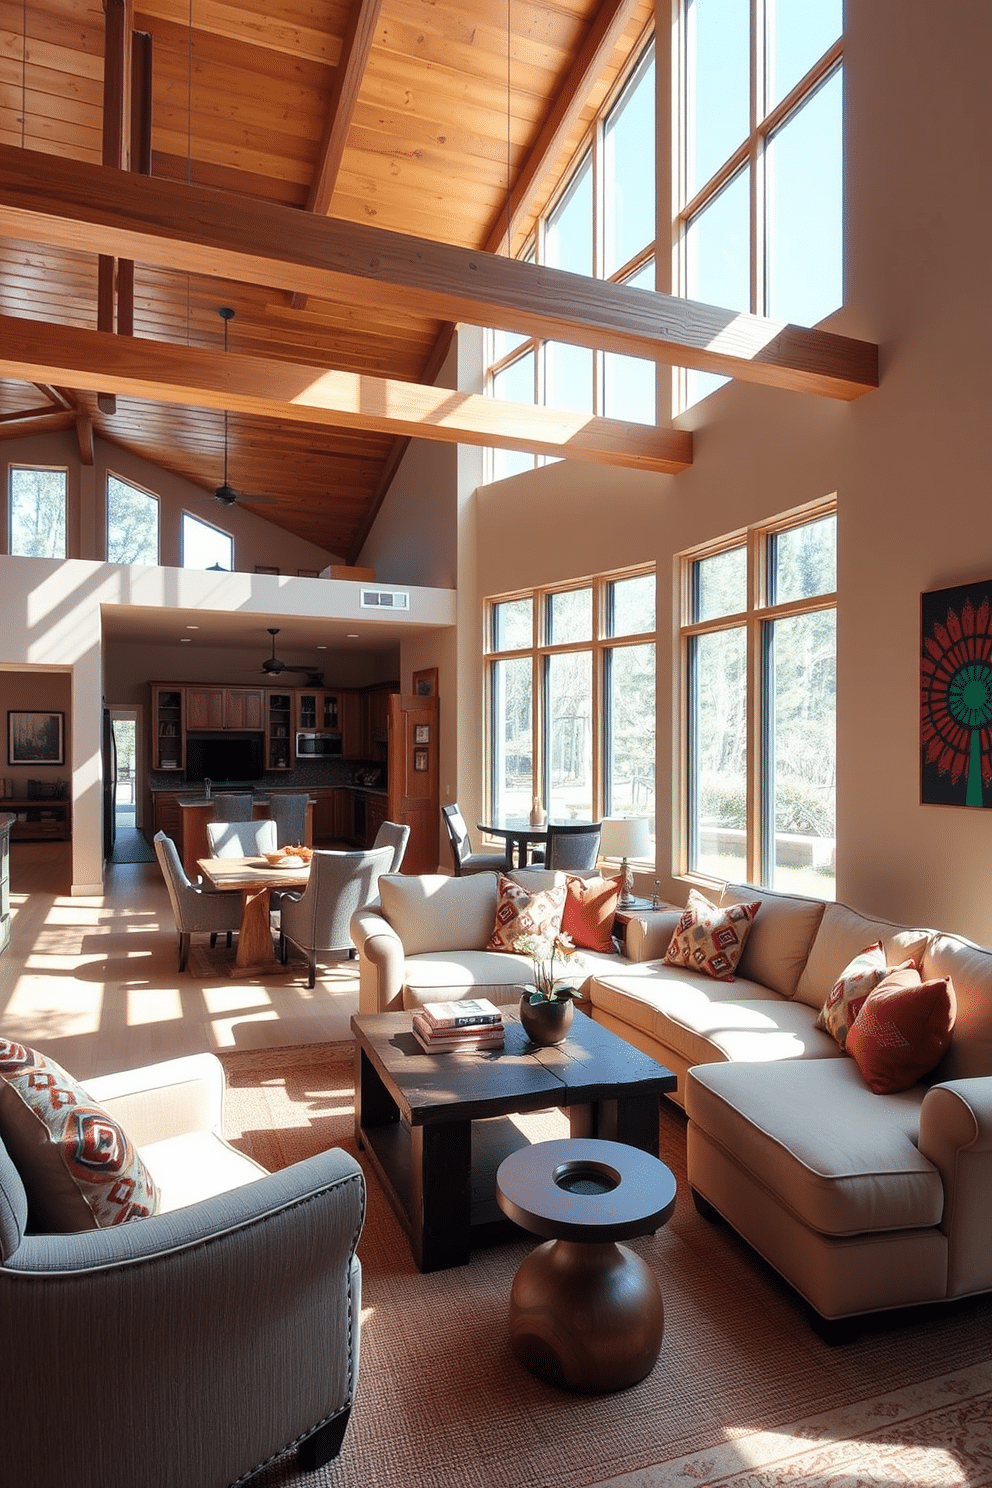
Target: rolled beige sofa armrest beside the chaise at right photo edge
[{"x": 956, "y": 1135}]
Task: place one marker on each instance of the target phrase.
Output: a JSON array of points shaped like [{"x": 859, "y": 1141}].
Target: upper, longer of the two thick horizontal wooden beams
[{"x": 193, "y": 230}]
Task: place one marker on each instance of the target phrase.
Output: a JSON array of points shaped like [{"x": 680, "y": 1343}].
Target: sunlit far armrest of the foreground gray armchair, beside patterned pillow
[{"x": 164, "y": 1100}]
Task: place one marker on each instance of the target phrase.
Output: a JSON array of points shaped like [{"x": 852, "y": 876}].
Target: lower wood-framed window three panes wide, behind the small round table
[{"x": 572, "y": 700}]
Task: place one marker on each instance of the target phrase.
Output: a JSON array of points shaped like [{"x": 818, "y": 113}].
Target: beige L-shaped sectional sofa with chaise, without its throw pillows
[{"x": 862, "y": 1202}]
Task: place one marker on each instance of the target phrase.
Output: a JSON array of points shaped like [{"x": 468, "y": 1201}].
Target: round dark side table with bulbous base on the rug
[{"x": 585, "y": 1312}]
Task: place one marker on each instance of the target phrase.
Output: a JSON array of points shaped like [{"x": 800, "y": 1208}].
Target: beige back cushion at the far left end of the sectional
[{"x": 435, "y": 913}]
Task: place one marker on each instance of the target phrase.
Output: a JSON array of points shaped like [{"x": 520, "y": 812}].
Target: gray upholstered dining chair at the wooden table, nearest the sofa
[{"x": 318, "y": 920}]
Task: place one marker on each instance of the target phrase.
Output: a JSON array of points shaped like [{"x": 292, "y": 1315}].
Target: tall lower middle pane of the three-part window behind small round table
[{"x": 569, "y": 737}]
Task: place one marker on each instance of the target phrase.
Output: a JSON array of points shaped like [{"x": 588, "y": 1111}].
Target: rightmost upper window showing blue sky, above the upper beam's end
[{"x": 761, "y": 160}]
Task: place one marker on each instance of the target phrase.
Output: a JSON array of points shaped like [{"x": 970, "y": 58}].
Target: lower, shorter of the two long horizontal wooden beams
[{"x": 175, "y": 374}]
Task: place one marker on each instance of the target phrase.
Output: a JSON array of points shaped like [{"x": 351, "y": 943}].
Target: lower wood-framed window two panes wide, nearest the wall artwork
[{"x": 759, "y": 647}]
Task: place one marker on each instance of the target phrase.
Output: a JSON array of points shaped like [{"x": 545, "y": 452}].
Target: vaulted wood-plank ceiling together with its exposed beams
[{"x": 276, "y": 151}]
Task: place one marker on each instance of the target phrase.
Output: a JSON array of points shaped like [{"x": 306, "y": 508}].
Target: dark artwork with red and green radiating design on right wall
[{"x": 956, "y": 696}]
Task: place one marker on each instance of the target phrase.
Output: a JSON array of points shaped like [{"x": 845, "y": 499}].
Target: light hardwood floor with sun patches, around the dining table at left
[{"x": 96, "y": 983}]
